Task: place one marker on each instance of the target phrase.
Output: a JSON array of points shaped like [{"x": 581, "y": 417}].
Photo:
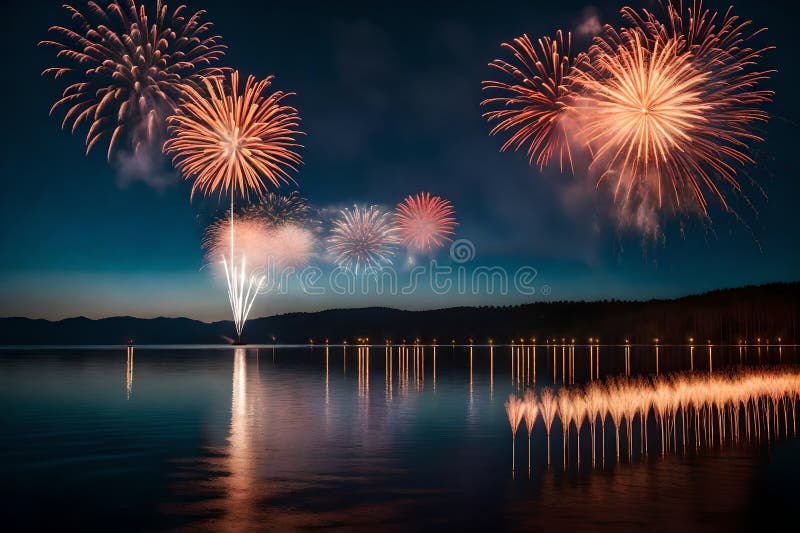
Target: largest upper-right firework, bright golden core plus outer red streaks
[{"x": 672, "y": 106}]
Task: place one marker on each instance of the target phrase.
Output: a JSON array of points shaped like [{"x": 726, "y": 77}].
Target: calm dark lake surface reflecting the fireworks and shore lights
[{"x": 260, "y": 438}]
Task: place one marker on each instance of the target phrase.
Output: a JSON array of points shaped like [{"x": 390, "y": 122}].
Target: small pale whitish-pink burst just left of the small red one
[{"x": 363, "y": 239}]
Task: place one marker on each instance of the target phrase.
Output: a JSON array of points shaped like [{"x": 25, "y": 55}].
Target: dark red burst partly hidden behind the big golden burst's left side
[{"x": 536, "y": 95}]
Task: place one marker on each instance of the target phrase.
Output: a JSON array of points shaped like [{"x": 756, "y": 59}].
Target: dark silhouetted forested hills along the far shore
[{"x": 767, "y": 311}]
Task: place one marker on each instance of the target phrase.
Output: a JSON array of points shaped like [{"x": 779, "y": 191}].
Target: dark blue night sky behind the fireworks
[{"x": 389, "y": 95}]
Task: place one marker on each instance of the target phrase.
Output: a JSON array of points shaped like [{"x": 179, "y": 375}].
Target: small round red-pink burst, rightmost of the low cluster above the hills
[{"x": 425, "y": 222}]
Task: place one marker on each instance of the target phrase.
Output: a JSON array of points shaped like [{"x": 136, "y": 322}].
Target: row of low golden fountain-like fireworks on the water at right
[{"x": 687, "y": 411}]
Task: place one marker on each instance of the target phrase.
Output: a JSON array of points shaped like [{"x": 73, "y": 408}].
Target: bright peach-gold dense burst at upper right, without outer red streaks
[{"x": 646, "y": 115}]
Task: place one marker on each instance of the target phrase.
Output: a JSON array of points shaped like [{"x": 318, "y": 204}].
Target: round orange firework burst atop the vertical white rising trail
[{"x": 234, "y": 141}]
